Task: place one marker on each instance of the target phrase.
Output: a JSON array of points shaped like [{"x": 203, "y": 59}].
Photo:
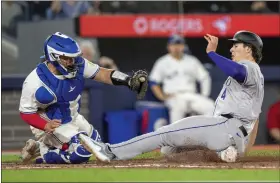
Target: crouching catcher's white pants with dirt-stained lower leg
[{"x": 63, "y": 133}]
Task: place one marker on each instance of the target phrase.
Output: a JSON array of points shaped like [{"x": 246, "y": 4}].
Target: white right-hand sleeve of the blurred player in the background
[{"x": 203, "y": 77}]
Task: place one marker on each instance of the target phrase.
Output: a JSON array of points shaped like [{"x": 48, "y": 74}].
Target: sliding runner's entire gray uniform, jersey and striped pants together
[{"x": 242, "y": 100}]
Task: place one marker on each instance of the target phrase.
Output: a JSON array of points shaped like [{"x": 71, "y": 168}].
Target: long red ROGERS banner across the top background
[{"x": 162, "y": 25}]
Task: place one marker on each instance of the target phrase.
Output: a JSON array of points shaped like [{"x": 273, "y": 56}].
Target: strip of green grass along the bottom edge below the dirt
[{"x": 110, "y": 174}]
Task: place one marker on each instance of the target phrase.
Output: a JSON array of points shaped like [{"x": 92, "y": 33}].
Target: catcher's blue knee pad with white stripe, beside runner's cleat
[{"x": 80, "y": 155}]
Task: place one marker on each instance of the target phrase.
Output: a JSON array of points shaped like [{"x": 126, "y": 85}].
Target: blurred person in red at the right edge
[{"x": 273, "y": 123}]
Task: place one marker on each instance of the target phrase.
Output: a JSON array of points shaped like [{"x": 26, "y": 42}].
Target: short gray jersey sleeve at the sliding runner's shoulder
[{"x": 251, "y": 74}]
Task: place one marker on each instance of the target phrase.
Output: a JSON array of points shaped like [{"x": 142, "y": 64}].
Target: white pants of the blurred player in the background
[{"x": 182, "y": 103}]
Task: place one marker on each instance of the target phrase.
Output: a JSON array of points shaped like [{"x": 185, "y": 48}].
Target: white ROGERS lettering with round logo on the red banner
[{"x": 143, "y": 25}]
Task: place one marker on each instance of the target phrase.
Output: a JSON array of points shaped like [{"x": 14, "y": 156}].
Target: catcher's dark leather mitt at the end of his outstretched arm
[{"x": 139, "y": 83}]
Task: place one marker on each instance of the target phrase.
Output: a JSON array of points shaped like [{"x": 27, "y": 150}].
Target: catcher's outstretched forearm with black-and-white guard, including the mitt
[{"x": 137, "y": 82}]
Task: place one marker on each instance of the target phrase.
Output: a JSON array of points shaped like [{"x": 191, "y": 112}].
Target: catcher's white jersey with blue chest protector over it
[{"x": 55, "y": 97}]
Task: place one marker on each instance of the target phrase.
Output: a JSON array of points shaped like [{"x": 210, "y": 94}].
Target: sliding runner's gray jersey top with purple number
[{"x": 242, "y": 100}]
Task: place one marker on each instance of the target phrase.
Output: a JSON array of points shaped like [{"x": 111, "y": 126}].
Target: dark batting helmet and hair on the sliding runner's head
[{"x": 251, "y": 39}]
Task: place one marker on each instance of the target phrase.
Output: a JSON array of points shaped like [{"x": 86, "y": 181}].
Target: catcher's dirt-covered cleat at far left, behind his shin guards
[{"x": 30, "y": 151}]
